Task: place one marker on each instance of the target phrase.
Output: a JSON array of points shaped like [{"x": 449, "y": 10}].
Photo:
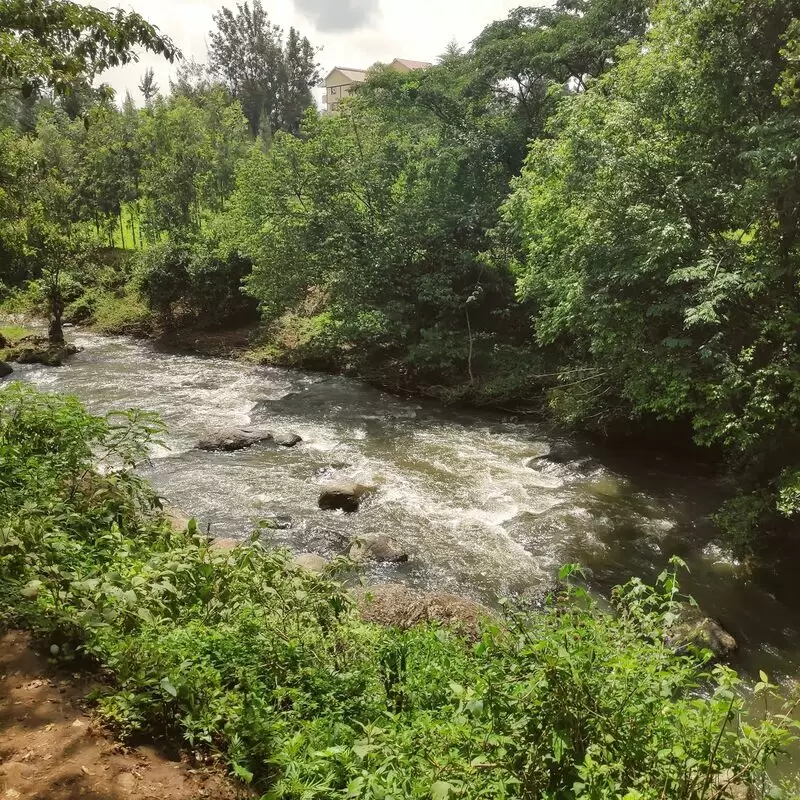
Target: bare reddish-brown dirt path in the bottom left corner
[{"x": 51, "y": 750}]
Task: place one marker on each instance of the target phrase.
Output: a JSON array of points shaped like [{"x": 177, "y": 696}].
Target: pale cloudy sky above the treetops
[{"x": 350, "y": 33}]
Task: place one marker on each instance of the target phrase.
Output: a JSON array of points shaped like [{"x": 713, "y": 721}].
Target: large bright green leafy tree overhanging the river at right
[{"x": 660, "y": 243}]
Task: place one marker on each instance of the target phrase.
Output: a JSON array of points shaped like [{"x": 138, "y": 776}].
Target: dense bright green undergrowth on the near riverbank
[{"x": 238, "y": 653}]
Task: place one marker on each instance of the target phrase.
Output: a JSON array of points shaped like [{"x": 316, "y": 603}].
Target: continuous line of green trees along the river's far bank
[{"x": 590, "y": 212}]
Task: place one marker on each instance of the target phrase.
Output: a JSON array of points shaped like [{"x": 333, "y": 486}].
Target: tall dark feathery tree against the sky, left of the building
[{"x": 270, "y": 77}]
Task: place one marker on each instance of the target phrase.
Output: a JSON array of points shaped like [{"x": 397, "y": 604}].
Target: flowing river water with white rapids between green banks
[{"x": 462, "y": 492}]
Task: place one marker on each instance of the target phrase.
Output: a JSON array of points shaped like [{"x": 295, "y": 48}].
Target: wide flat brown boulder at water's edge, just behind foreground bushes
[{"x": 399, "y": 607}]
